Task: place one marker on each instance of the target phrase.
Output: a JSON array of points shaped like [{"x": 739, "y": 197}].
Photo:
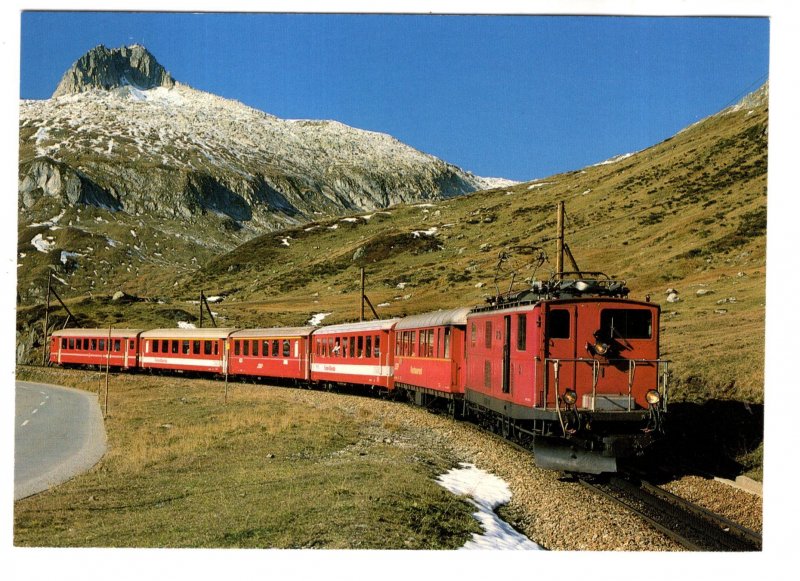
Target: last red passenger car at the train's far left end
[{"x": 114, "y": 347}]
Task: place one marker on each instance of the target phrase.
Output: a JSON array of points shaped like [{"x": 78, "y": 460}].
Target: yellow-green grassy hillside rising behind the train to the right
[{"x": 687, "y": 214}]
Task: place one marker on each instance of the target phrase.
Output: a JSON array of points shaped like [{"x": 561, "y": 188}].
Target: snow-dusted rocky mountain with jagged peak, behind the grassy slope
[{"x": 120, "y": 133}]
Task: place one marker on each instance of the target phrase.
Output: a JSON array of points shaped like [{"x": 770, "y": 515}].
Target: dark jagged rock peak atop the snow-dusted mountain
[{"x": 104, "y": 68}]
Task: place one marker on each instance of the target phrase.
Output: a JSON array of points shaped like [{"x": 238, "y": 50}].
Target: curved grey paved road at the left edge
[{"x": 58, "y": 434}]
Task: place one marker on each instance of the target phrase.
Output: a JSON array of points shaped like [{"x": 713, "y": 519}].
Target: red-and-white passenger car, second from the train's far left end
[{"x": 185, "y": 349}]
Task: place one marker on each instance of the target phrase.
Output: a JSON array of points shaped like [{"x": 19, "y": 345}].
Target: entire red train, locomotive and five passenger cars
[{"x": 569, "y": 367}]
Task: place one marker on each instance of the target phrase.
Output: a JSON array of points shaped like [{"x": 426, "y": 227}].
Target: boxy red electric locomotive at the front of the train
[{"x": 576, "y": 363}]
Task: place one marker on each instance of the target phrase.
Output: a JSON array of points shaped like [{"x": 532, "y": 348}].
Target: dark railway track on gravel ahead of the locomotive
[{"x": 690, "y": 525}]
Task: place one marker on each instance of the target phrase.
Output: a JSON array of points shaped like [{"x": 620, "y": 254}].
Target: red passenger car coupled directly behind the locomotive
[{"x": 429, "y": 355}]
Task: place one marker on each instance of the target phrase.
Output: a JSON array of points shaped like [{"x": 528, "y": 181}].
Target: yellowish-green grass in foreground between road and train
[{"x": 273, "y": 467}]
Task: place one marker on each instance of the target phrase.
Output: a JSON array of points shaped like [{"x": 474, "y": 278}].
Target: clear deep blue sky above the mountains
[{"x": 519, "y": 97}]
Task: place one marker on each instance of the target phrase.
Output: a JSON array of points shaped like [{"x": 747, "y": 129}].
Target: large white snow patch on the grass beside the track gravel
[{"x": 486, "y": 492}]
